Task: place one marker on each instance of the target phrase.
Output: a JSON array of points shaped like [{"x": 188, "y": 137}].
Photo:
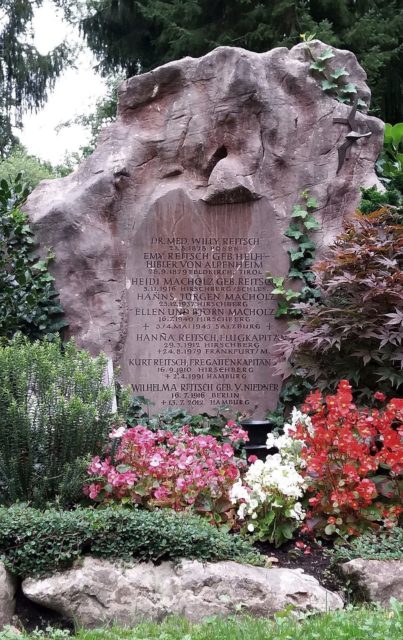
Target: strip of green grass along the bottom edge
[{"x": 351, "y": 624}]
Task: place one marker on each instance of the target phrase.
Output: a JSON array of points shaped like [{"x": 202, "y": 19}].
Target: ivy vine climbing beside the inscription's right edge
[{"x": 302, "y": 257}]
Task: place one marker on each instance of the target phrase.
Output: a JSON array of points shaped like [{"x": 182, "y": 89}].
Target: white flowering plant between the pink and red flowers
[{"x": 268, "y": 497}]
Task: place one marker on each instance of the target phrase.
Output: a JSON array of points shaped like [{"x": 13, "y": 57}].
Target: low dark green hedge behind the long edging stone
[{"x": 36, "y": 542}]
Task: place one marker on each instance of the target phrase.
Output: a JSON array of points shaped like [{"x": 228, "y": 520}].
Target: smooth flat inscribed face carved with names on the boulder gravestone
[{"x": 201, "y": 315}]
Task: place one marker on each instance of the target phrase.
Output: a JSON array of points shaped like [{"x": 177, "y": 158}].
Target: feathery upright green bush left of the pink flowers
[{"x": 54, "y": 409}]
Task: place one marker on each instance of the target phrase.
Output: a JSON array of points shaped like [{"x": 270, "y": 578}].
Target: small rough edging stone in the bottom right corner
[{"x": 376, "y": 580}]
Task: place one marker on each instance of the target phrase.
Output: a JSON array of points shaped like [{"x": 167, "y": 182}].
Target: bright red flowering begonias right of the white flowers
[{"x": 344, "y": 449}]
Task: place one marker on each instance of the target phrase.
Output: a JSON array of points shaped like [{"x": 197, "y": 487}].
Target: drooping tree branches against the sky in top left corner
[{"x": 25, "y": 74}]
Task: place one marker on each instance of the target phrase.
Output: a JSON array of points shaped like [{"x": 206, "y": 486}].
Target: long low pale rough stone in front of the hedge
[{"x": 101, "y": 591}]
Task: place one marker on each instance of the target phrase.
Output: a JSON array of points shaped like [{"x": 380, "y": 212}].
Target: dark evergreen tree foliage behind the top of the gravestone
[{"x": 132, "y": 36}]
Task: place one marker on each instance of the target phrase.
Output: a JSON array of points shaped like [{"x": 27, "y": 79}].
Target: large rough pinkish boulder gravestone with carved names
[{"x": 164, "y": 236}]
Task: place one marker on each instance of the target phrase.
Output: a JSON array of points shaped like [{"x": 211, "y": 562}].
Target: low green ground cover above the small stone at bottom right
[{"x": 385, "y": 545}]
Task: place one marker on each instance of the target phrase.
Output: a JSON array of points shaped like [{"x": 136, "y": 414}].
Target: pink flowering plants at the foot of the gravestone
[{"x": 162, "y": 469}]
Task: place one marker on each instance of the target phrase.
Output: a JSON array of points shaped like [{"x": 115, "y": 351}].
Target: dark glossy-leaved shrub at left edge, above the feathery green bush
[{"x": 29, "y": 302}]
